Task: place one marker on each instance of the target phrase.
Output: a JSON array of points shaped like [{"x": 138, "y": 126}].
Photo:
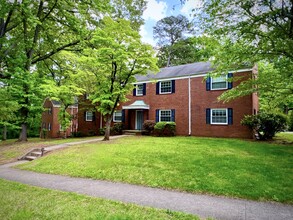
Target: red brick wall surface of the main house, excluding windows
[{"x": 201, "y": 99}]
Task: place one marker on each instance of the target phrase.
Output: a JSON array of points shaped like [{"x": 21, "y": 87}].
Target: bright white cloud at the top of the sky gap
[{"x": 155, "y": 10}]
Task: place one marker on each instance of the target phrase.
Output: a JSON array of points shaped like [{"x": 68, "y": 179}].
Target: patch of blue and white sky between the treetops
[{"x": 158, "y": 9}]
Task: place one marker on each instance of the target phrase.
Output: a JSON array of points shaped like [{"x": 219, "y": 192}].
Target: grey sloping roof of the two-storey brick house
[{"x": 178, "y": 71}]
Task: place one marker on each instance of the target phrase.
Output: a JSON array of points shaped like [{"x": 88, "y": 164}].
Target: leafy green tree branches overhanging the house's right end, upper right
[{"x": 254, "y": 32}]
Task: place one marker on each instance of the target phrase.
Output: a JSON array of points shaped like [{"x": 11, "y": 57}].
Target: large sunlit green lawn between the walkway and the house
[{"x": 230, "y": 167}]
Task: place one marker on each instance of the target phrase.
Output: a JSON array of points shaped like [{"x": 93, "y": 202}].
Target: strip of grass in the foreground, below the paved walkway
[{"x": 19, "y": 201}]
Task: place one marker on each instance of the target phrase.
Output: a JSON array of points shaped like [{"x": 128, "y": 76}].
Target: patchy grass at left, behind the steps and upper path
[{"x": 10, "y": 149}]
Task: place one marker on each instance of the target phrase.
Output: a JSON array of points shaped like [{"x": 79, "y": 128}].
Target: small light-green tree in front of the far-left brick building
[{"x": 64, "y": 84}]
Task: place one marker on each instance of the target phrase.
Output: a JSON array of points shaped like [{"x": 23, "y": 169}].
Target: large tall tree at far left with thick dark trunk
[{"x": 33, "y": 31}]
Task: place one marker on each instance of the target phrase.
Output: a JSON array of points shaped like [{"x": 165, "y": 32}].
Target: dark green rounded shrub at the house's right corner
[{"x": 265, "y": 125}]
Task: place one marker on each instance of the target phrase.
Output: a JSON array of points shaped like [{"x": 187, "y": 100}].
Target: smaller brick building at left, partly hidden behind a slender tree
[{"x": 50, "y": 125}]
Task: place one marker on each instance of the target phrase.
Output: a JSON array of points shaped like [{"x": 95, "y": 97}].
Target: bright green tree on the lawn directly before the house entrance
[{"x": 115, "y": 56}]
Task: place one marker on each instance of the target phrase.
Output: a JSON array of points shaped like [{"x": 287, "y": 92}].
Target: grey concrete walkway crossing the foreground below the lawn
[{"x": 201, "y": 205}]
